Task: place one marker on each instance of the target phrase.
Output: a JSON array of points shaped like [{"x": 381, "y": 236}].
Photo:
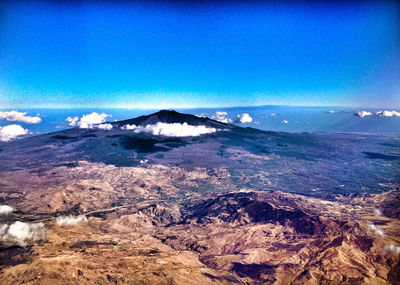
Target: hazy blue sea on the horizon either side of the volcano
[{"x": 272, "y": 118}]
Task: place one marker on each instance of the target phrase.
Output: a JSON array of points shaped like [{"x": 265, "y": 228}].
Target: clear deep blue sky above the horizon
[{"x": 176, "y": 54}]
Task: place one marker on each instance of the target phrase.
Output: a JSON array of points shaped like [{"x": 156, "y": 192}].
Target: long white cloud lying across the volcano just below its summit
[{"x": 175, "y": 130}]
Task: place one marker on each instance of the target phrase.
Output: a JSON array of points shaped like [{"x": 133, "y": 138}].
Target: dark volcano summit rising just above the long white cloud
[{"x": 170, "y": 117}]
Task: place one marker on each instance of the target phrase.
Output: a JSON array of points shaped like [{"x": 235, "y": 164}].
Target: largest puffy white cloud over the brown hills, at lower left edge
[{"x": 21, "y": 233}]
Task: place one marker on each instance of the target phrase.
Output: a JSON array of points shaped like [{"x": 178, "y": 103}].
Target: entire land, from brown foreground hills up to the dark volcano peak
[{"x": 94, "y": 206}]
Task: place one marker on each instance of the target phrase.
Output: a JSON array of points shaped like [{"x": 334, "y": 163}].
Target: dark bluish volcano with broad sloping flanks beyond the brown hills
[{"x": 267, "y": 160}]
